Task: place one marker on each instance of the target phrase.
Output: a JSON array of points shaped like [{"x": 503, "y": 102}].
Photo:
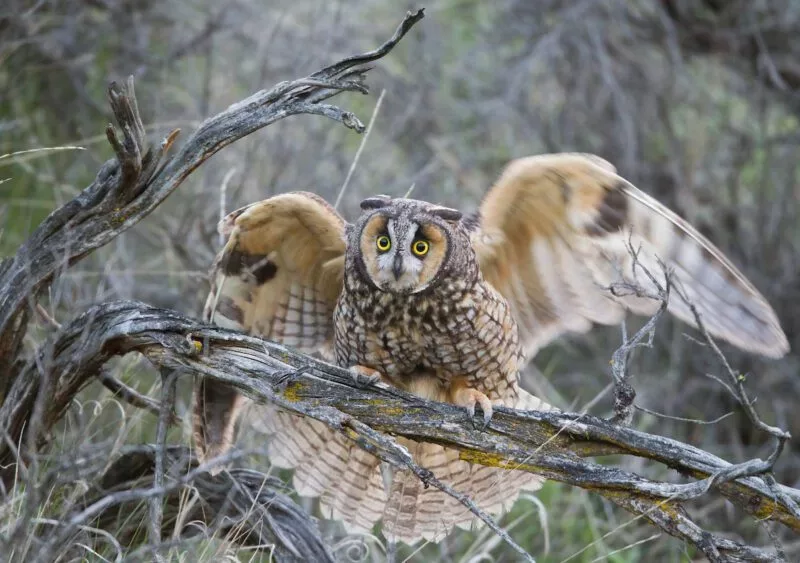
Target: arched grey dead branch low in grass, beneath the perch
[{"x": 246, "y": 503}]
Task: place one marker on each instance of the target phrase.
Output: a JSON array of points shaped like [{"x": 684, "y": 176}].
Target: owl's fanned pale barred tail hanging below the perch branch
[{"x": 352, "y": 488}]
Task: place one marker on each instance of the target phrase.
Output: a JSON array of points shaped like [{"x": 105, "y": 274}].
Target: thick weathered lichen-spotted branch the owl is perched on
[{"x": 552, "y": 444}]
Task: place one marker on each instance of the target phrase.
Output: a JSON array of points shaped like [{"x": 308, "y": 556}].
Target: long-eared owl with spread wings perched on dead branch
[{"x": 449, "y": 307}]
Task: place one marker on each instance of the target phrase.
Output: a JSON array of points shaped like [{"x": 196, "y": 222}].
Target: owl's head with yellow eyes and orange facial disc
[{"x": 407, "y": 246}]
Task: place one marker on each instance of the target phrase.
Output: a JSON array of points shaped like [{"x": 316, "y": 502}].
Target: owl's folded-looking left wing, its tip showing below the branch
[{"x": 278, "y": 277}]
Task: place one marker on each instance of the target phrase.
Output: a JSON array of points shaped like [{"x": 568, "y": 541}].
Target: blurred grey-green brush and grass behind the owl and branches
[{"x": 695, "y": 101}]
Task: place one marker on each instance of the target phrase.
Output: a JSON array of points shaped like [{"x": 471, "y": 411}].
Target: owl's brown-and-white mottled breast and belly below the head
[{"x": 457, "y": 331}]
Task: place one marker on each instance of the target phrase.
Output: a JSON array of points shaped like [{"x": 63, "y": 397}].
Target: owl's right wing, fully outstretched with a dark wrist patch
[{"x": 556, "y": 231}]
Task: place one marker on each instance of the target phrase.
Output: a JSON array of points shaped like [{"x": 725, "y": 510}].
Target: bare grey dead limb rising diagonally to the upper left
[{"x": 130, "y": 186}]
